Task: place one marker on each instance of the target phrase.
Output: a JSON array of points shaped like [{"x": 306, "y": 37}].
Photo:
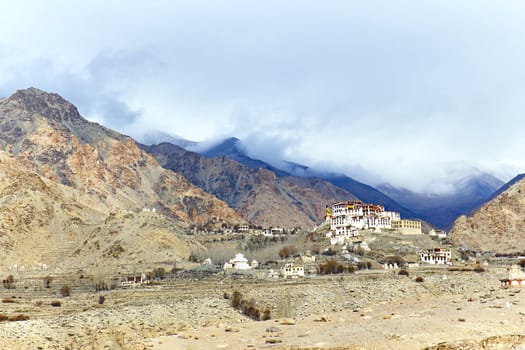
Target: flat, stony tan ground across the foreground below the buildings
[{"x": 371, "y": 309}]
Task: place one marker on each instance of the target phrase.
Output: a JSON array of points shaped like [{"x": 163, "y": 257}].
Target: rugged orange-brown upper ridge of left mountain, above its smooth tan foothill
[{"x": 48, "y": 135}]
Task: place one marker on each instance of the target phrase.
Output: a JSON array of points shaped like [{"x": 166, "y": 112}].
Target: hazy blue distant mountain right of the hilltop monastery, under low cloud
[{"x": 441, "y": 210}]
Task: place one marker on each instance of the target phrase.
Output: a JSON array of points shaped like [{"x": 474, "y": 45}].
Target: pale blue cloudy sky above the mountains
[{"x": 418, "y": 94}]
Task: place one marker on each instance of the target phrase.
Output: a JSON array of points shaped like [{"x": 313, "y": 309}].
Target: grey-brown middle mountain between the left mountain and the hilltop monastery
[{"x": 260, "y": 195}]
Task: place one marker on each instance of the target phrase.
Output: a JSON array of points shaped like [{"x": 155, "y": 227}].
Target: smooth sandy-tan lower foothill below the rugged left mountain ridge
[{"x": 43, "y": 223}]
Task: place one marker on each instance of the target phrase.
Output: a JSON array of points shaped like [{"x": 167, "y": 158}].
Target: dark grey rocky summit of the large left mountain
[{"x": 48, "y": 105}]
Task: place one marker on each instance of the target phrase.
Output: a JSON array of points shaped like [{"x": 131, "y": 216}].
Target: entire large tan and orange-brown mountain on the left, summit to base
[{"x": 75, "y": 190}]
